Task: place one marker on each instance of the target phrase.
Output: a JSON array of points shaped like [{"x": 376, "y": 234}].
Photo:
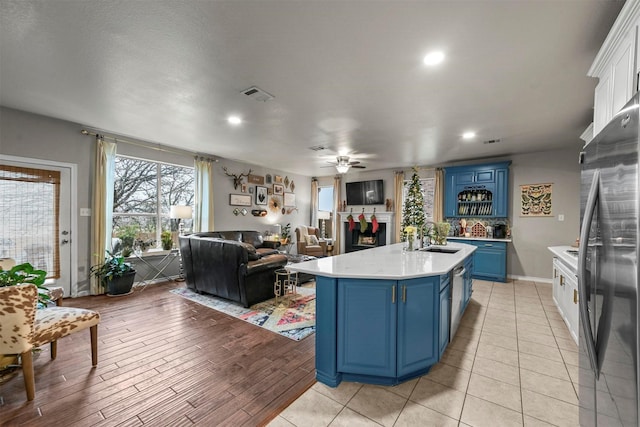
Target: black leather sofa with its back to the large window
[{"x": 237, "y": 265}]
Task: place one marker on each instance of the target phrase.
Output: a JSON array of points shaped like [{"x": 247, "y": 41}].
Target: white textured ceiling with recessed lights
[{"x": 345, "y": 75}]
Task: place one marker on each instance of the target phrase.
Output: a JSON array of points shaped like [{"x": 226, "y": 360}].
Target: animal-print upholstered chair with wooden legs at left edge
[{"x": 24, "y": 327}]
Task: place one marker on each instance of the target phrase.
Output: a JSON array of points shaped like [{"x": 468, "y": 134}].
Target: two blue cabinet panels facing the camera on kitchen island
[{"x": 387, "y": 328}]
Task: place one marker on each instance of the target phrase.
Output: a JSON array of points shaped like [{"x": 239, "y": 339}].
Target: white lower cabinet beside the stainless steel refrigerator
[{"x": 565, "y": 295}]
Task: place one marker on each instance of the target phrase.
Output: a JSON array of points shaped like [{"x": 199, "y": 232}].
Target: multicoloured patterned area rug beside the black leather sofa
[{"x": 294, "y": 316}]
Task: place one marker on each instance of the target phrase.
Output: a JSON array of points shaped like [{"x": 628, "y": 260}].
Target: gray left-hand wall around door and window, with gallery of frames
[{"x": 33, "y": 136}]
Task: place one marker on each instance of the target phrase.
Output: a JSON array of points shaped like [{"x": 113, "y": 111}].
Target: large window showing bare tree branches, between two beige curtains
[{"x": 144, "y": 192}]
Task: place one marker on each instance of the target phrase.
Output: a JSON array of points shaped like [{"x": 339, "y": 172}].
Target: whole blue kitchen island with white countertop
[{"x": 383, "y": 315}]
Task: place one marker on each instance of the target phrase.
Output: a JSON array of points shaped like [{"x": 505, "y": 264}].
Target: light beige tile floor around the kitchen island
[{"x": 511, "y": 363}]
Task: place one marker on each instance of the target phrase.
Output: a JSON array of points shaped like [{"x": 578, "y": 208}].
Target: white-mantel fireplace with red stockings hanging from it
[{"x": 356, "y": 240}]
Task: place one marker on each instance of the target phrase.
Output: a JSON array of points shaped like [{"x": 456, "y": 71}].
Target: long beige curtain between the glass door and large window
[{"x": 101, "y": 220}]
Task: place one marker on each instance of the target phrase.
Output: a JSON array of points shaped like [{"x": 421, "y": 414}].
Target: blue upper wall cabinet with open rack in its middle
[{"x": 477, "y": 191}]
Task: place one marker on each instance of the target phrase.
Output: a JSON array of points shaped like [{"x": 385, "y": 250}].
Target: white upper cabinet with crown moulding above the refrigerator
[{"x": 616, "y": 66}]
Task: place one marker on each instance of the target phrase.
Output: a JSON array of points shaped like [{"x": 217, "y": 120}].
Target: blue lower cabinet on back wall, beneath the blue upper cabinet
[{"x": 489, "y": 260}]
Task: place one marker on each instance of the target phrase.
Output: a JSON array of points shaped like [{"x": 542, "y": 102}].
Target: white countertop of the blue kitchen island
[{"x": 386, "y": 262}]
